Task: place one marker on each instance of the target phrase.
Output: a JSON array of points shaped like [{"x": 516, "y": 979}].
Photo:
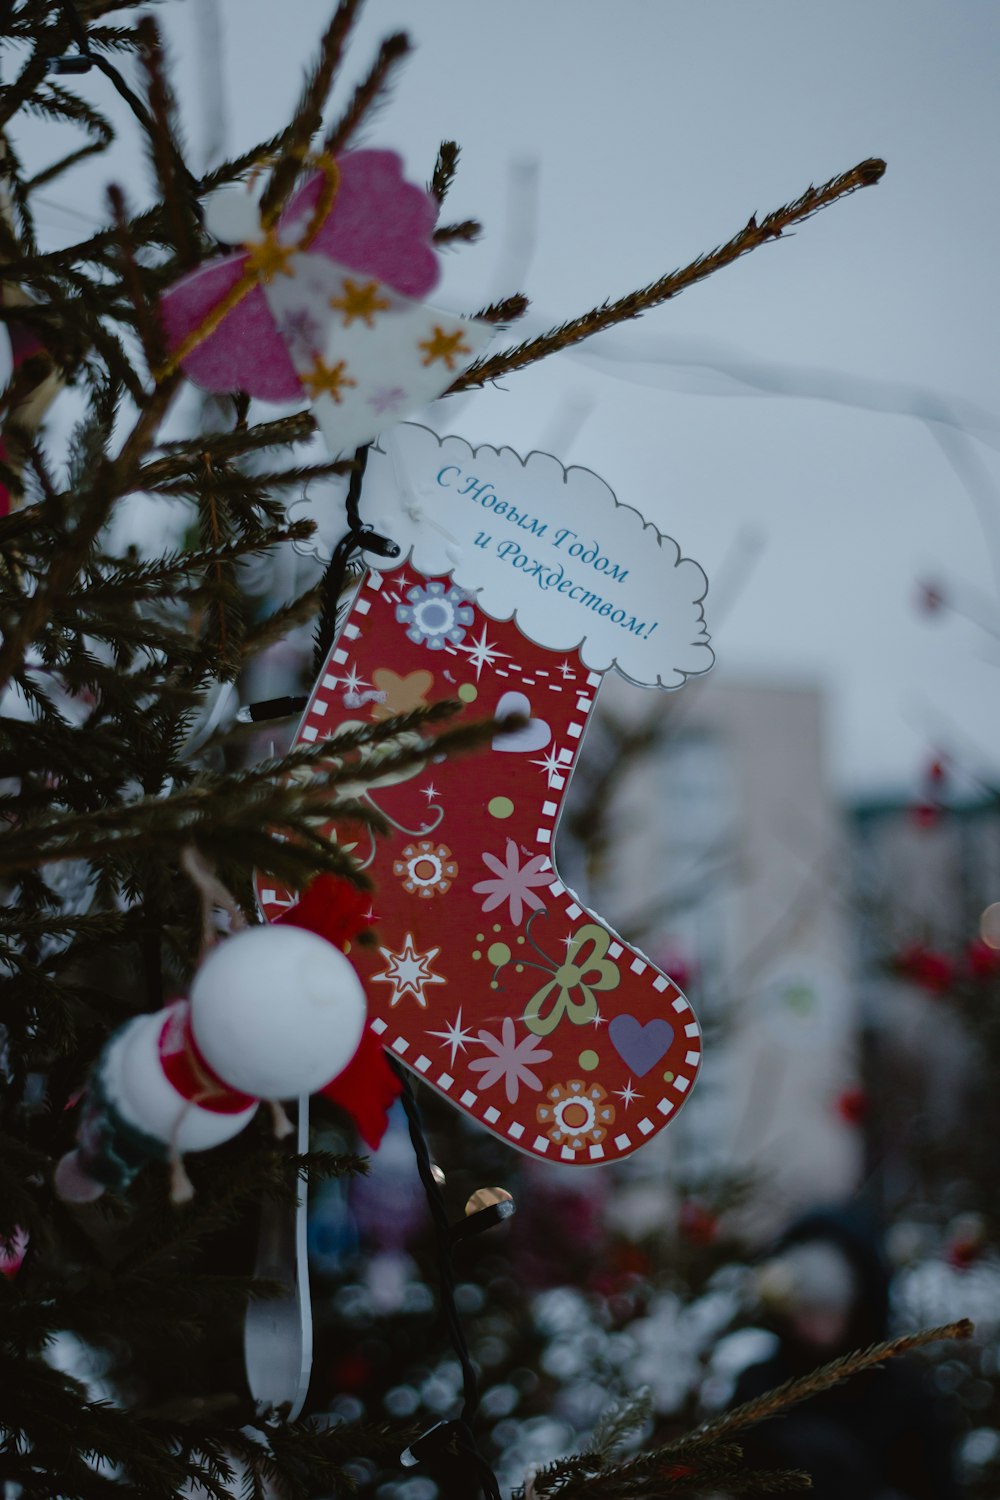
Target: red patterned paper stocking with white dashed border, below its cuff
[{"x": 490, "y": 979}]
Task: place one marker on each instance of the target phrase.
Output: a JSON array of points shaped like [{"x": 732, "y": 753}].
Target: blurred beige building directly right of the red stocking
[{"x": 702, "y": 827}]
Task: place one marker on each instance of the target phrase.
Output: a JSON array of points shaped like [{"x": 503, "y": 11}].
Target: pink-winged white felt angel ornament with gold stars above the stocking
[{"x": 325, "y": 304}]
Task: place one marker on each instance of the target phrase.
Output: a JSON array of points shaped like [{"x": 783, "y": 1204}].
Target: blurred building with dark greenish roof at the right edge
[{"x": 926, "y": 892}]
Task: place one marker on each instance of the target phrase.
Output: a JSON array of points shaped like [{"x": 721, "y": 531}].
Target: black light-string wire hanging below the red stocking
[{"x": 461, "y": 1432}]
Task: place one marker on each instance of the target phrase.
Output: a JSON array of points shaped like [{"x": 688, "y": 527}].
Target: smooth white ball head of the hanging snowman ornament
[{"x": 278, "y": 1012}]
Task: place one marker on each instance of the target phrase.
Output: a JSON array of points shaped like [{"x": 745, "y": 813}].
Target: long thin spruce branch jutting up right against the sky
[{"x": 633, "y": 305}]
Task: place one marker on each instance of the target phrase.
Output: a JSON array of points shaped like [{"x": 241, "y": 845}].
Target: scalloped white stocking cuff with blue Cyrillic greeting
[{"x": 546, "y": 545}]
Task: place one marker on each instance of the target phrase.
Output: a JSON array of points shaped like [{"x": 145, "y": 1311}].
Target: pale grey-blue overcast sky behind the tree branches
[{"x": 770, "y": 419}]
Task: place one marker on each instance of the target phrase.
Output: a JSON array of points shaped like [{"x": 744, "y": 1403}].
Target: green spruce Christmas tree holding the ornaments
[{"x": 139, "y": 809}]
